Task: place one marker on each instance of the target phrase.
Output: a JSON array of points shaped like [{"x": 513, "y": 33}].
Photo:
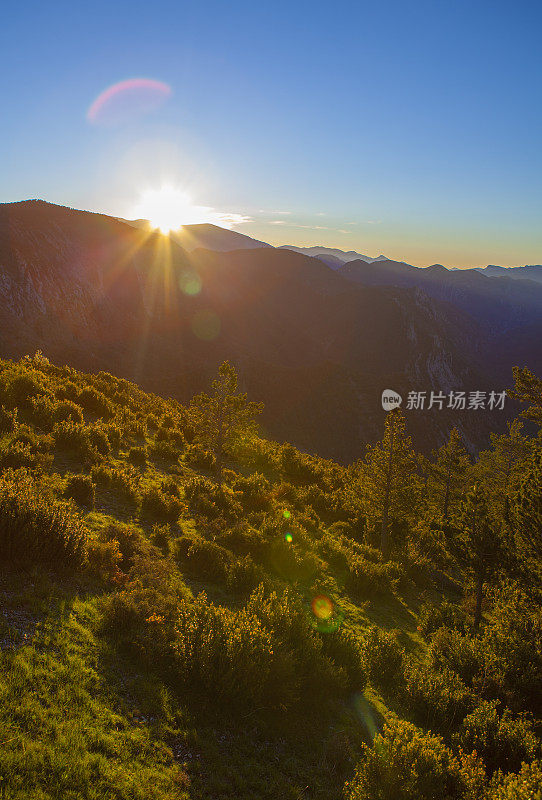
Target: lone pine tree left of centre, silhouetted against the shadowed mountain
[{"x": 224, "y": 415}]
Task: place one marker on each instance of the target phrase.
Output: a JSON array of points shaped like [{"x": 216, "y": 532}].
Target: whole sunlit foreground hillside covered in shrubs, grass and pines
[{"x": 190, "y": 610}]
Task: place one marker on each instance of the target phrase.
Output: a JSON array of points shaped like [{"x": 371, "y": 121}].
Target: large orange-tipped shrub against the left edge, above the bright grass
[{"x": 36, "y": 529}]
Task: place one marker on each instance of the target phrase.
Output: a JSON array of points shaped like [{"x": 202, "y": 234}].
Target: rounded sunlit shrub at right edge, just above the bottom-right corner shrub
[{"x": 504, "y": 742}]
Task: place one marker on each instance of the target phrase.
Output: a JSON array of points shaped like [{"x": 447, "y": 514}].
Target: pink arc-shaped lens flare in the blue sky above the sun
[{"x": 127, "y": 100}]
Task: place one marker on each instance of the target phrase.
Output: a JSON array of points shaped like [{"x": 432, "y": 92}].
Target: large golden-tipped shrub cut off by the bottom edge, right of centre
[{"x": 404, "y": 763}]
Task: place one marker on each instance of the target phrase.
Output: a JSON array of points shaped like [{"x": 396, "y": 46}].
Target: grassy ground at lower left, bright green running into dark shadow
[{"x": 78, "y": 719}]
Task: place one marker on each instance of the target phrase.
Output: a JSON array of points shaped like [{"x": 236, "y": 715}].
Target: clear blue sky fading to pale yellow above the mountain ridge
[{"x": 404, "y": 127}]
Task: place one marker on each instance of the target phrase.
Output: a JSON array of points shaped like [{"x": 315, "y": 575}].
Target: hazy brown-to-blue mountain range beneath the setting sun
[{"x": 317, "y": 345}]
